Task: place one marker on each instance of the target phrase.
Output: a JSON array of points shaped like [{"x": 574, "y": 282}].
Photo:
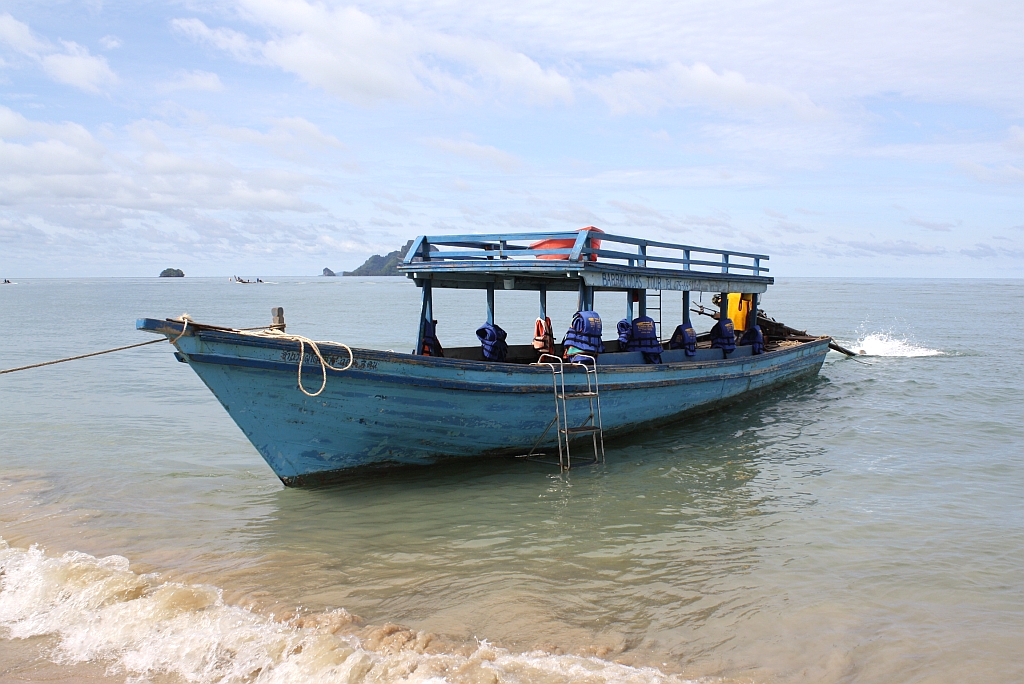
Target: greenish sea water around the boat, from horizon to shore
[{"x": 865, "y": 526}]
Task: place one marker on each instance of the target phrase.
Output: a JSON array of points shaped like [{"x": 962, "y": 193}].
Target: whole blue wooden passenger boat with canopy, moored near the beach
[{"x": 382, "y": 408}]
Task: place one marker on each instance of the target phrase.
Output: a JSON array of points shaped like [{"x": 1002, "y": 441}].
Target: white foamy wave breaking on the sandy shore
[{"x": 101, "y": 611}]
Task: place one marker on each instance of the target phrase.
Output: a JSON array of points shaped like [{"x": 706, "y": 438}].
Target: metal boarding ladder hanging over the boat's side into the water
[{"x": 591, "y": 425}]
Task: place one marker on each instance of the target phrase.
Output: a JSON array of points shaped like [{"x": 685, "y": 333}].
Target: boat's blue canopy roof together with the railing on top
[{"x": 562, "y": 261}]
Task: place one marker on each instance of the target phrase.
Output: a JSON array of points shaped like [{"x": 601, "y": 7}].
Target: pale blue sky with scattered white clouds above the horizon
[{"x": 276, "y": 138}]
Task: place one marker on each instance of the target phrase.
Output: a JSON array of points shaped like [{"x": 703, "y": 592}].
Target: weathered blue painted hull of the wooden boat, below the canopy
[{"x": 394, "y": 409}]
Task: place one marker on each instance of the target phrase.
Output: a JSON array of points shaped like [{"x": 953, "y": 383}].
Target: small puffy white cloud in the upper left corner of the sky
[{"x": 74, "y": 66}]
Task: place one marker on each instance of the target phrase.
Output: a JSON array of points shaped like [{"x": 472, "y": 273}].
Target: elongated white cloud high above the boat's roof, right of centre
[{"x": 648, "y": 92}]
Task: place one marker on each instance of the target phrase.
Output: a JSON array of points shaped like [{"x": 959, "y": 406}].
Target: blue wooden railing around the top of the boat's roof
[{"x": 503, "y": 247}]
